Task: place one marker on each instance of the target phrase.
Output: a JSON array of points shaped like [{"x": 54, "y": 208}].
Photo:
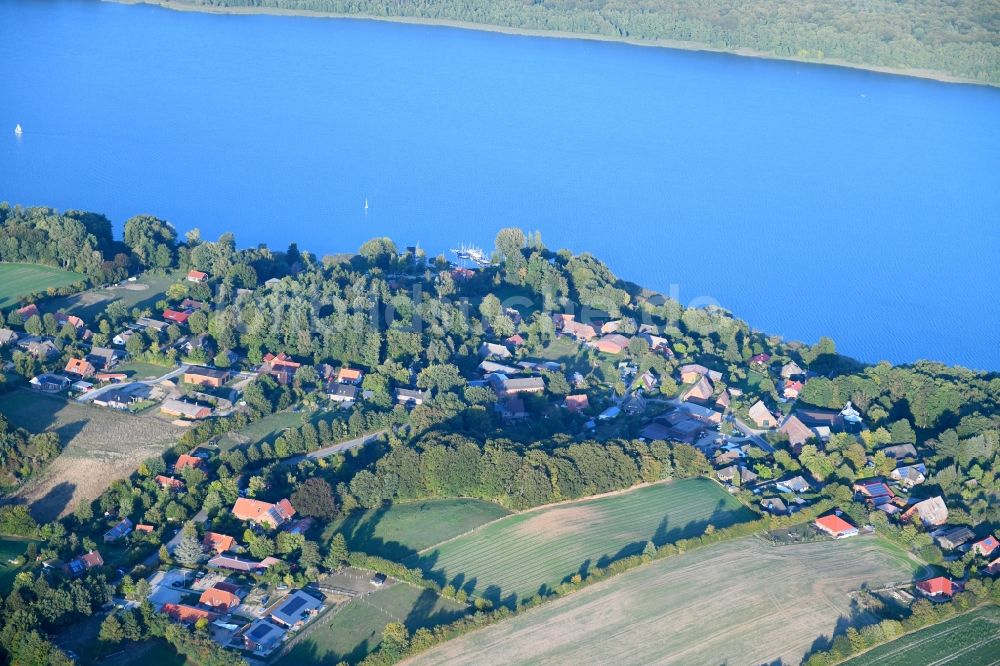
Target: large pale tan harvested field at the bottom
[{"x": 738, "y": 602}]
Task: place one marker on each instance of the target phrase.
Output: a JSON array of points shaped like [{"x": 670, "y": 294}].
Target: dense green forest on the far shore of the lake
[{"x": 955, "y": 37}]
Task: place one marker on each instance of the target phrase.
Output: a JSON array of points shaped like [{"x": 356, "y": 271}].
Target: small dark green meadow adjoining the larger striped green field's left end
[{"x": 400, "y": 530}]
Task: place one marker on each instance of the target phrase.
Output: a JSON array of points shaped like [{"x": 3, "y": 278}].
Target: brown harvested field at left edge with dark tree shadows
[{"x": 99, "y": 446}]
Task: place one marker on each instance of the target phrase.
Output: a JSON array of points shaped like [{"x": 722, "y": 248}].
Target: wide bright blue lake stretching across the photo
[{"x": 809, "y": 200}]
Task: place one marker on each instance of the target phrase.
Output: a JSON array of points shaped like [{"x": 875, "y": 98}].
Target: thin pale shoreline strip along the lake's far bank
[{"x": 484, "y": 27}]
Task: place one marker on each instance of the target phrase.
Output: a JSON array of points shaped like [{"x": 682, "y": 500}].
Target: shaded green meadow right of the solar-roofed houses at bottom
[{"x": 355, "y": 630}]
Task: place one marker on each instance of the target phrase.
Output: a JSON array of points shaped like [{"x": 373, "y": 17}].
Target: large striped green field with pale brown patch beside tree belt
[{"x": 515, "y": 557}]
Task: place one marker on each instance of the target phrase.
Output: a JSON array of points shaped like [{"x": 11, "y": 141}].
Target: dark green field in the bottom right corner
[{"x": 972, "y": 639}]
